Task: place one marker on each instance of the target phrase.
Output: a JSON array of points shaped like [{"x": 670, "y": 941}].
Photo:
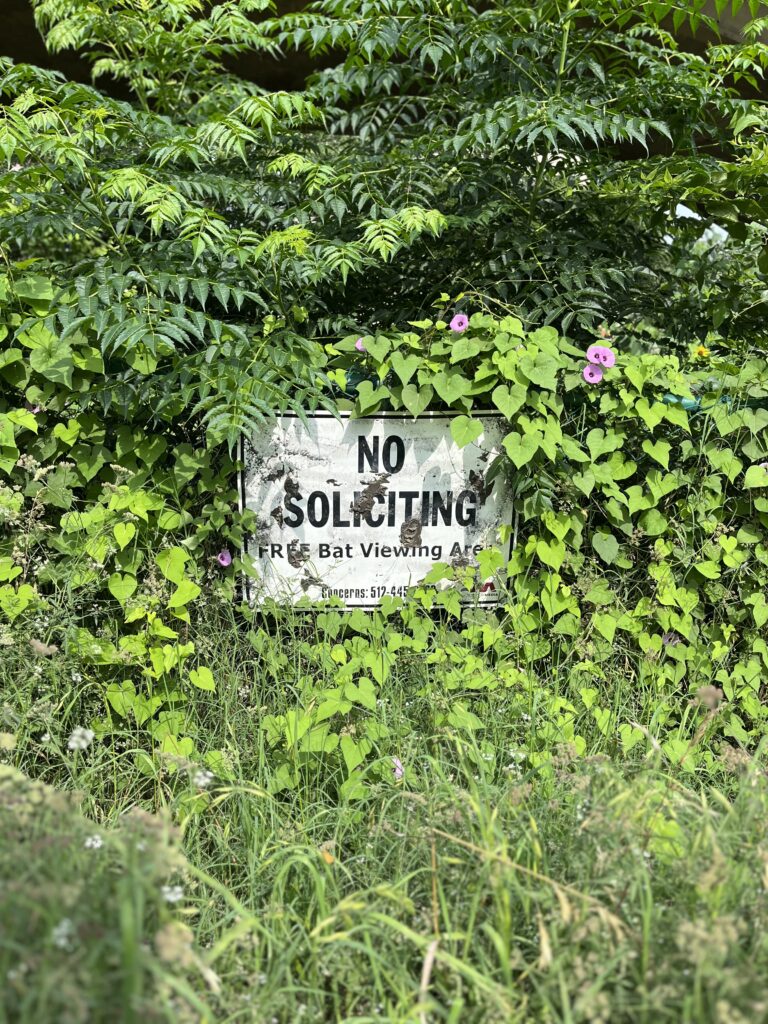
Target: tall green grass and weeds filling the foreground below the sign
[{"x": 475, "y": 889}]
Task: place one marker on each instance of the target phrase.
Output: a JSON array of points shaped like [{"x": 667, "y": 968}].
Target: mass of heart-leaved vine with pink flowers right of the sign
[{"x": 642, "y": 518}]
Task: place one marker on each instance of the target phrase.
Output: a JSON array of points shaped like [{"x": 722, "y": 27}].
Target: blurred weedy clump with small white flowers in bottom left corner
[{"x": 88, "y": 932}]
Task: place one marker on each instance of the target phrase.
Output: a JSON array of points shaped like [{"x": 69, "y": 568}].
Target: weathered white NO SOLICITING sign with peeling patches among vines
[{"x": 363, "y": 508}]
